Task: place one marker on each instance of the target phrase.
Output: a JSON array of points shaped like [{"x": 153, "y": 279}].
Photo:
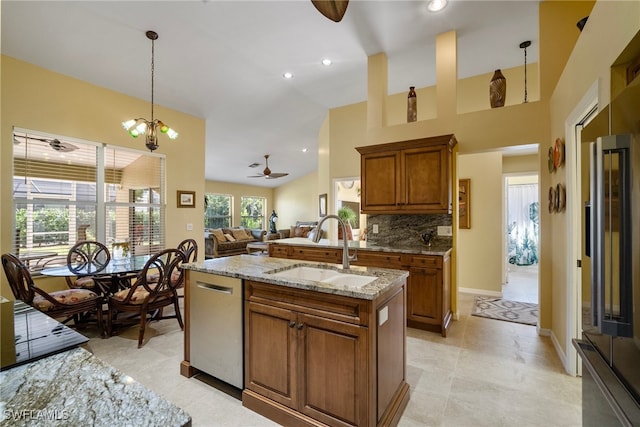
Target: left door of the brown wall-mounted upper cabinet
[{"x": 380, "y": 181}]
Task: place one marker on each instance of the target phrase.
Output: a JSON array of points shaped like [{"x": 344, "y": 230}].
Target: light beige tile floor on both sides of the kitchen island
[{"x": 485, "y": 373}]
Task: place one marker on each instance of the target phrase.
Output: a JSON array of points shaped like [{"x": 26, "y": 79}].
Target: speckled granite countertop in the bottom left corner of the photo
[{"x": 75, "y": 388}]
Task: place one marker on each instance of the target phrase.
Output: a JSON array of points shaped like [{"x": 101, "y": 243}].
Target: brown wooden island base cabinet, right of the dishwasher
[{"x": 315, "y": 359}]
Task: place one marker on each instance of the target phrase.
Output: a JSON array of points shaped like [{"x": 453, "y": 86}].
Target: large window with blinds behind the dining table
[{"x": 68, "y": 190}]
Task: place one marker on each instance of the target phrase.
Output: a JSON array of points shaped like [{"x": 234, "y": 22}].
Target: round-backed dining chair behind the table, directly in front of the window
[{"x": 94, "y": 256}]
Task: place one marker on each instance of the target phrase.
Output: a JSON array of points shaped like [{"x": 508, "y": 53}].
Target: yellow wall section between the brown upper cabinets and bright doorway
[{"x": 480, "y": 247}]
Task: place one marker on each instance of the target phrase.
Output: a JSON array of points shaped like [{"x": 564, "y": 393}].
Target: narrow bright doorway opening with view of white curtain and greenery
[{"x": 522, "y": 214}]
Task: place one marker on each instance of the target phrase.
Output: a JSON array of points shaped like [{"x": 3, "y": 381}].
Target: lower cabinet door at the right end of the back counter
[{"x": 425, "y": 295}]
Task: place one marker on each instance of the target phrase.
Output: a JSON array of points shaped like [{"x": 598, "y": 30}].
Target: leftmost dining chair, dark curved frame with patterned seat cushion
[{"x": 70, "y": 303}]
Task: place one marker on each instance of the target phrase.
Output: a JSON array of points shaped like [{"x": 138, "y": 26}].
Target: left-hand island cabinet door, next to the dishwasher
[{"x": 271, "y": 353}]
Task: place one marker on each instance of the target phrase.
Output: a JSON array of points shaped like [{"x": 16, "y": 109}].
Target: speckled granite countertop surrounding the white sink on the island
[{"x": 261, "y": 268}]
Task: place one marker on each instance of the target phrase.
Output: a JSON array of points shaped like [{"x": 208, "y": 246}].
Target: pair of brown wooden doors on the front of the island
[{"x": 315, "y": 366}]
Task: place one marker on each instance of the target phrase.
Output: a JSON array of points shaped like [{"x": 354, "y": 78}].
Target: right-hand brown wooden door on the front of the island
[{"x": 333, "y": 371}]
